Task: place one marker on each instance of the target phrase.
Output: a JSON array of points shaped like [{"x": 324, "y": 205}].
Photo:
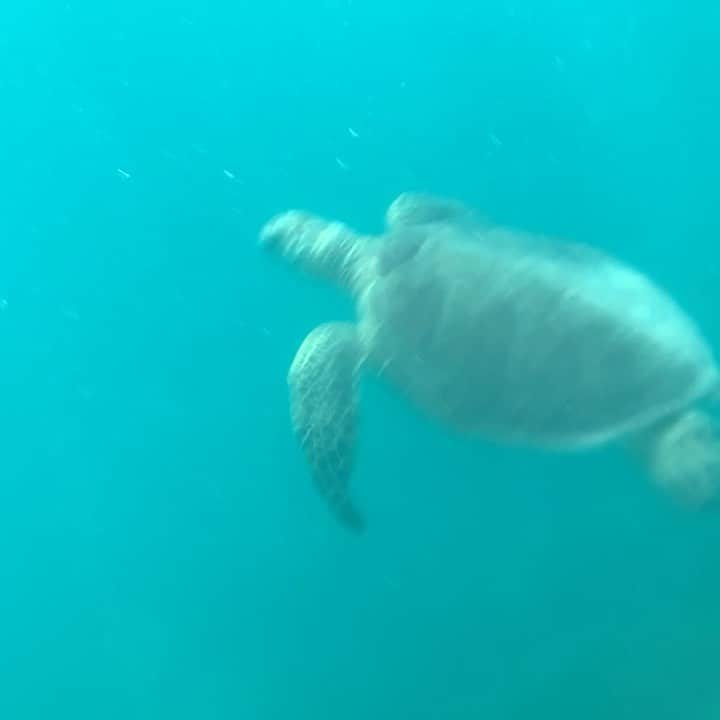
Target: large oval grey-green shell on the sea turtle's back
[{"x": 527, "y": 339}]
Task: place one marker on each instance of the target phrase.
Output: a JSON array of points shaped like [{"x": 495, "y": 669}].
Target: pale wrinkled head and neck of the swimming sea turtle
[{"x": 326, "y": 248}]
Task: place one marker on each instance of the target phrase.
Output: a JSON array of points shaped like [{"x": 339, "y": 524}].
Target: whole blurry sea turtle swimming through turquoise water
[{"x": 500, "y": 334}]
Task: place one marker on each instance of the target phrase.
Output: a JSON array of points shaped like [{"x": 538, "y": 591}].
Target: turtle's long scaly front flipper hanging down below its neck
[{"x": 323, "y": 406}]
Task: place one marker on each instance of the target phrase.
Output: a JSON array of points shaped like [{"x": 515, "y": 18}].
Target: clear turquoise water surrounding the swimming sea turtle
[{"x": 164, "y": 555}]
